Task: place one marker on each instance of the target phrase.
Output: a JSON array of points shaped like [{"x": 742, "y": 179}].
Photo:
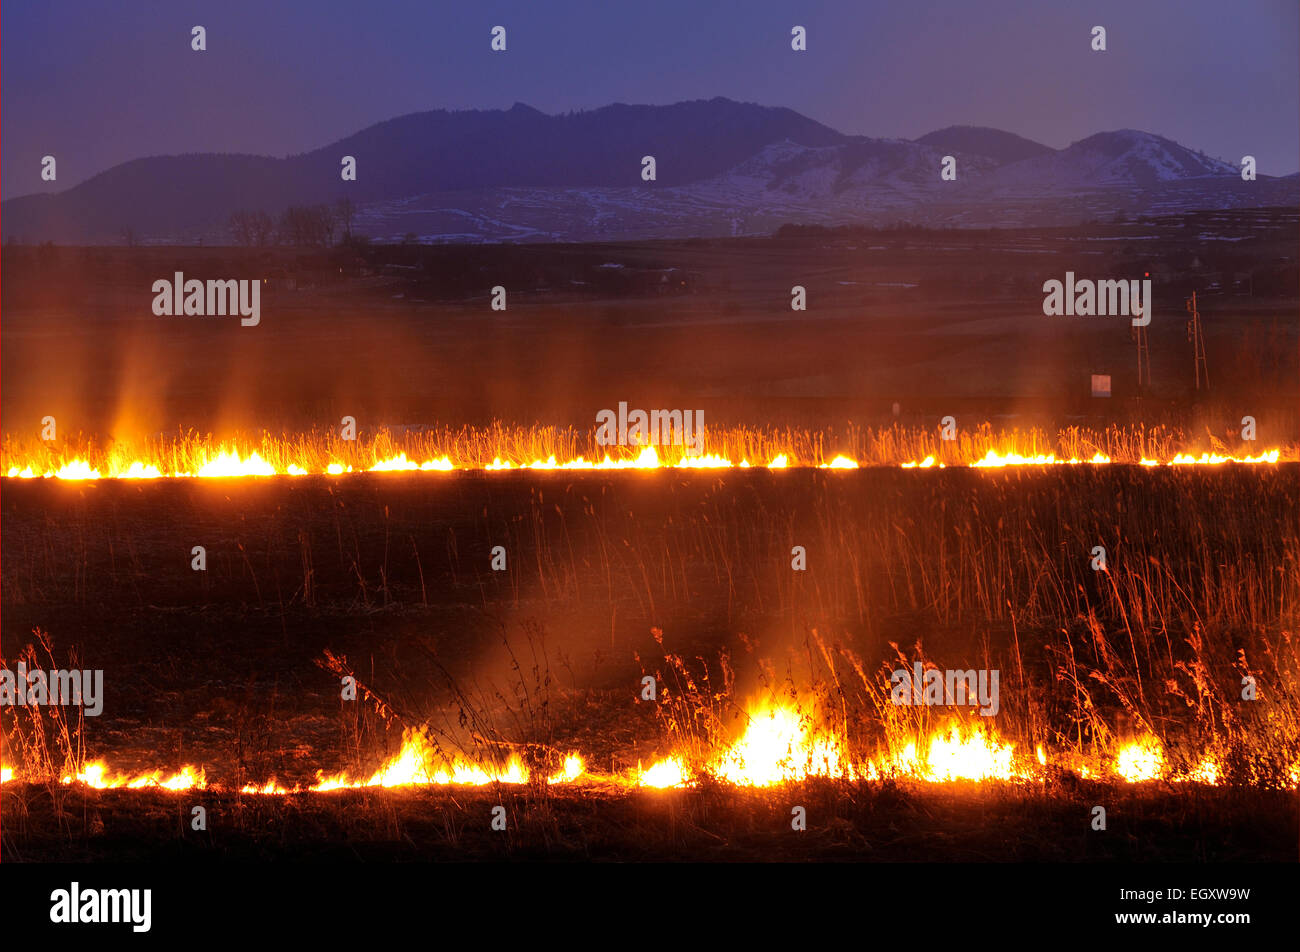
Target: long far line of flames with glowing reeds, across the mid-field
[{"x": 551, "y": 451}]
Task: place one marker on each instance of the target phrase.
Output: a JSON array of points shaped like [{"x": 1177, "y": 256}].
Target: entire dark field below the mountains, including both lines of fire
[{"x": 497, "y": 626}]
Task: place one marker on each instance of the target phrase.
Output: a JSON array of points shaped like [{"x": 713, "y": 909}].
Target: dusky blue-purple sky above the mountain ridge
[{"x": 99, "y": 84}]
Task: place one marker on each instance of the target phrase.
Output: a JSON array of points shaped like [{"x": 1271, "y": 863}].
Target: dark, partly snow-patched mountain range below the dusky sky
[{"x": 723, "y": 168}]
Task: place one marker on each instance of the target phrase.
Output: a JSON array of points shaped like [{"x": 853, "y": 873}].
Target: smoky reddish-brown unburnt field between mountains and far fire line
[{"x": 941, "y": 323}]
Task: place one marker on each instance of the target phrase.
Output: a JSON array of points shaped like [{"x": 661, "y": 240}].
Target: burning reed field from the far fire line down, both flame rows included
[{"x": 903, "y": 647}]
